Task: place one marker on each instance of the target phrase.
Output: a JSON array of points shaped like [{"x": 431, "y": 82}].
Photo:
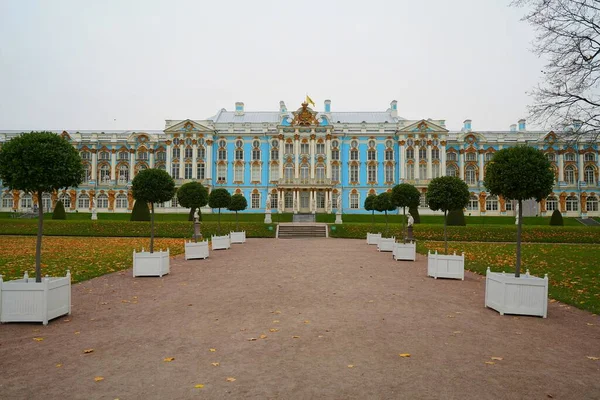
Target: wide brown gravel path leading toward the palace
[{"x": 298, "y": 319}]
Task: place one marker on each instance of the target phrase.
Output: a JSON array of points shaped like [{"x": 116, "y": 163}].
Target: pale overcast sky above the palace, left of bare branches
[{"x": 81, "y": 64}]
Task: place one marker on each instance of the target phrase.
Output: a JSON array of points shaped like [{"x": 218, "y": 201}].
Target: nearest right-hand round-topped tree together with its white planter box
[{"x": 518, "y": 173}]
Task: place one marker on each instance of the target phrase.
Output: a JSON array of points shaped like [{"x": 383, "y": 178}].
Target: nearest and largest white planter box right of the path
[{"x": 526, "y": 295}]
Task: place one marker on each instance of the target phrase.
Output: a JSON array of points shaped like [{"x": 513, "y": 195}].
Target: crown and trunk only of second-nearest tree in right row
[{"x": 447, "y": 193}]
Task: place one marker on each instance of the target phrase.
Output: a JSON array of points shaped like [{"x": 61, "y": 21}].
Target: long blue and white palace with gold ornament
[{"x": 306, "y": 159}]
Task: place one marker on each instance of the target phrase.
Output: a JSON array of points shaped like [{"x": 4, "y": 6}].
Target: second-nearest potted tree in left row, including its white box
[{"x": 152, "y": 186}]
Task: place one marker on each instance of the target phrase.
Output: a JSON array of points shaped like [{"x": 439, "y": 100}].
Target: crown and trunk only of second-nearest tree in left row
[{"x": 152, "y": 185}]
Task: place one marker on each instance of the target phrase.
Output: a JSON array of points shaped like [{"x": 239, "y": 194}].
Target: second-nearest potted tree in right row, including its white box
[{"x": 446, "y": 193}]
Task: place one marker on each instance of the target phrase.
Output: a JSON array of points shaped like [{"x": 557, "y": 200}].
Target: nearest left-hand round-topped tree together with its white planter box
[{"x": 38, "y": 163}]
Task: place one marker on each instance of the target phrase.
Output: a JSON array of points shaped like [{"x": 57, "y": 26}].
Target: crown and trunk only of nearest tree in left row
[{"x": 38, "y": 163}]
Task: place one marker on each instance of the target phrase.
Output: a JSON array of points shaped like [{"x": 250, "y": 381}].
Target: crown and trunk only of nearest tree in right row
[{"x": 519, "y": 173}]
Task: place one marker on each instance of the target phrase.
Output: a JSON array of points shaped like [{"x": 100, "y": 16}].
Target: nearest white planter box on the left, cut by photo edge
[{"x": 24, "y": 300}]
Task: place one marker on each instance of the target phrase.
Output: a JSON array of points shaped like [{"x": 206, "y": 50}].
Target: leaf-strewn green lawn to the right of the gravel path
[{"x": 573, "y": 270}]
